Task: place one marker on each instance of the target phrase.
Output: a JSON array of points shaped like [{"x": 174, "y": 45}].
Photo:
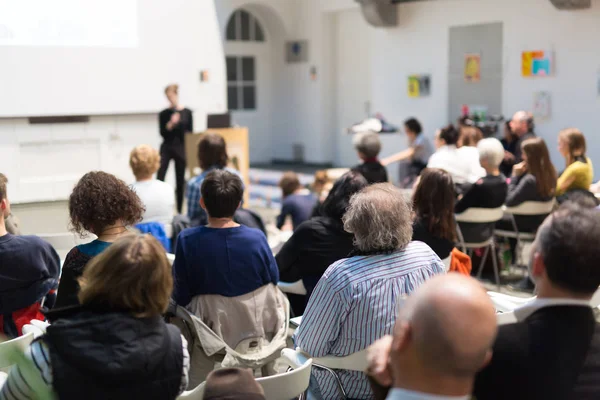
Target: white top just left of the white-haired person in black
[{"x": 462, "y": 166}]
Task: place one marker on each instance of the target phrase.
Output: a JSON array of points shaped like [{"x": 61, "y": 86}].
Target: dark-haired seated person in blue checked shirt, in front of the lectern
[{"x": 212, "y": 155}]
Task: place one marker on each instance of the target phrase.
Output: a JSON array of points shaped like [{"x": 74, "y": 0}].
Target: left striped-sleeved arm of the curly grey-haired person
[{"x": 321, "y": 323}]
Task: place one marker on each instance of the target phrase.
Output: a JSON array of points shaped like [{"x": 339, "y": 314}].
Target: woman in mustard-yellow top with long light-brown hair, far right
[{"x": 579, "y": 173}]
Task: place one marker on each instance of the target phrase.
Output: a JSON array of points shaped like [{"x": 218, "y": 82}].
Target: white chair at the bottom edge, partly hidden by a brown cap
[{"x": 289, "y": 385}]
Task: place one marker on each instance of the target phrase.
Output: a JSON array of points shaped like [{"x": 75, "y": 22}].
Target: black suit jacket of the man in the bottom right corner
[{"x": 552, "y": 355}]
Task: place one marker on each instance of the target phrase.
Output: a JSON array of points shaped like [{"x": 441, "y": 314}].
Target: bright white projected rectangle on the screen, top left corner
[{"x": 106, "y": 23}]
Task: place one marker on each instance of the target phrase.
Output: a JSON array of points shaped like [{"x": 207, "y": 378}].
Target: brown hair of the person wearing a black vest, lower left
[{"x": 132, "y": 275}]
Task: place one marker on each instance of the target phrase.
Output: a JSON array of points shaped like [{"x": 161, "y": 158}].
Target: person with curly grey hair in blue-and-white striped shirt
[{"x": 355, "y": 302}]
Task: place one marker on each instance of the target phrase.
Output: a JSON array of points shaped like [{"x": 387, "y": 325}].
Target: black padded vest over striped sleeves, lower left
[{"x": 113, "y": 355}]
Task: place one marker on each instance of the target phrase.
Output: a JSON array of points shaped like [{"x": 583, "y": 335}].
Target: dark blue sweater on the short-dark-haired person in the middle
[{"x": 228, "y": 262}]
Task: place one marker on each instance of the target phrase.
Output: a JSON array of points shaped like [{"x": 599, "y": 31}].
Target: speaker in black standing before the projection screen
[{"x": 174, "y": 123}]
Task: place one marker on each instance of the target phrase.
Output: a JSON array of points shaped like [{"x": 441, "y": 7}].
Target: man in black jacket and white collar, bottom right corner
[{"x": 553, "y": 351}]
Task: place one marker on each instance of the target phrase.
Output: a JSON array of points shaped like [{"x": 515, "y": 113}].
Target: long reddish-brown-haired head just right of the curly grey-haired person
[{"x": 433, "y": 202}]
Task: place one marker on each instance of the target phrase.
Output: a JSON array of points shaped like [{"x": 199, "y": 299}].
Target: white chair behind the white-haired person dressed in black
[{"x": 481, "y": 216}]
